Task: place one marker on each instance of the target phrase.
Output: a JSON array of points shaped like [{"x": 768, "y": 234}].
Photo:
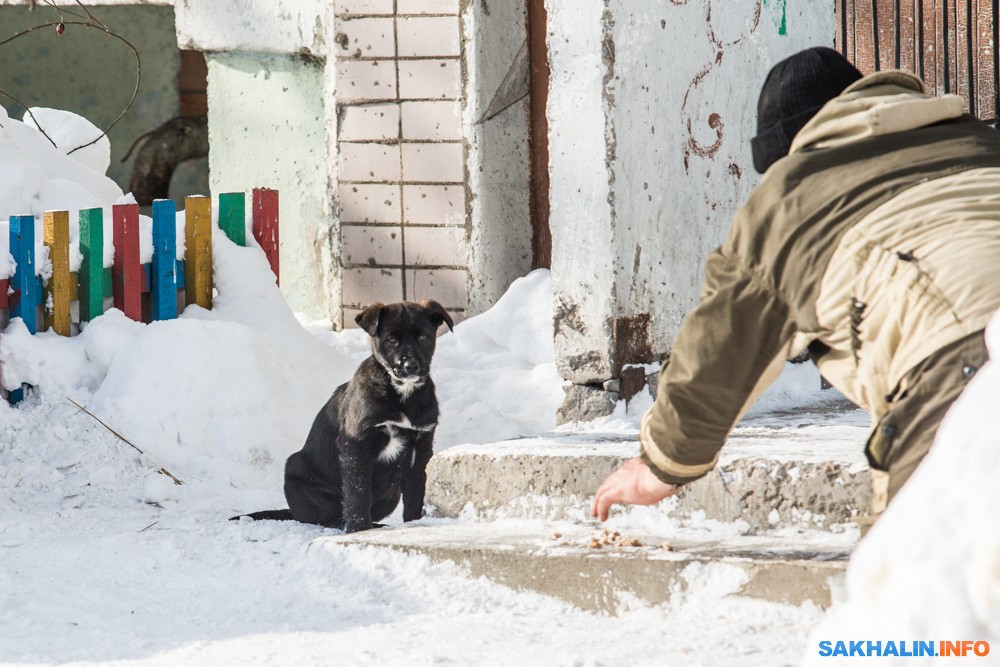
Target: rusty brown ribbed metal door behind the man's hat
[{"x": 950, "y": 44}]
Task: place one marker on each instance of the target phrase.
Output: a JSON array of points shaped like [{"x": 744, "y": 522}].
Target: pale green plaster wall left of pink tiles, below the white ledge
[{"x": 267, "y": 127}]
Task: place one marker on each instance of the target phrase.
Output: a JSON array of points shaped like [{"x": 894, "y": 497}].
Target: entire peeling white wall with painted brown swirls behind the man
[{"x": 665, "y": 95}]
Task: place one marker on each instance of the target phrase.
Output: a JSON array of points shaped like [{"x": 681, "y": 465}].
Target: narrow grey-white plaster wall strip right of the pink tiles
[{"x": 499, "y": 184}]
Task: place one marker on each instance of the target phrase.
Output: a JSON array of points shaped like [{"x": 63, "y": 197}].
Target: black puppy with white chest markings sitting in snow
[{"x": 372, "y": 440}]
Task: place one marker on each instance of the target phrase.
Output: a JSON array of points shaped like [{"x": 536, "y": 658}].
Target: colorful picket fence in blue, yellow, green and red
[{"x": 143, "y": 292}]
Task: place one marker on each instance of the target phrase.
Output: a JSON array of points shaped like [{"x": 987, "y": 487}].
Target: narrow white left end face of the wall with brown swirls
[{"x": 581, "y": 217}]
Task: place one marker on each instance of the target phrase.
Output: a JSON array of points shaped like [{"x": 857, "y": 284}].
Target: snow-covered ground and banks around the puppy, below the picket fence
[{"x": 104, "y": 560}]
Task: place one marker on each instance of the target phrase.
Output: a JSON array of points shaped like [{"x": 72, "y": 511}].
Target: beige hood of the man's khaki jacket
[{"x": 878, "y": 104}]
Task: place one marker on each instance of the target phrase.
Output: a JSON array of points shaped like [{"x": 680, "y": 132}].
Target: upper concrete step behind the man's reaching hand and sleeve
[{"x": 805, "y": 469}]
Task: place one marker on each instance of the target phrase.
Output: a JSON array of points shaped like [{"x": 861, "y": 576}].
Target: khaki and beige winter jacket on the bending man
[{"x": 875, "y": 242}]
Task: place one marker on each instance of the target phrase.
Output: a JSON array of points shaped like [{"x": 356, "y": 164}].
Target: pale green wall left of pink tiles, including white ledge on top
[{"x": 270, "y": 111}]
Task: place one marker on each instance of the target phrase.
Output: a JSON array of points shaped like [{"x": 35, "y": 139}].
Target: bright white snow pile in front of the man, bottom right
[{"x": 930, "y": 568}]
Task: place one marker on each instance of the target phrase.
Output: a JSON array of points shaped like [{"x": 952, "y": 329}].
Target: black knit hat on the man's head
[{"x": 794, "y": 90}]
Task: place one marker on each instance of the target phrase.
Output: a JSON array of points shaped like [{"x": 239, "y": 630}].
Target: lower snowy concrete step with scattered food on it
[{"x": 558, "y": 560}]
